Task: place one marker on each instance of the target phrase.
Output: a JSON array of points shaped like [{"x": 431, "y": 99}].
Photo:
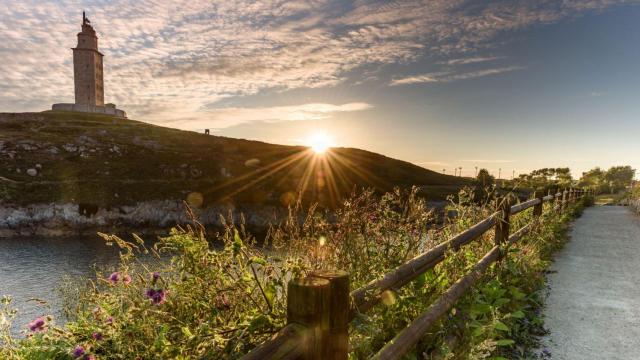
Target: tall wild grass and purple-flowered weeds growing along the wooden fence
[{"x": 206, "y": 301}]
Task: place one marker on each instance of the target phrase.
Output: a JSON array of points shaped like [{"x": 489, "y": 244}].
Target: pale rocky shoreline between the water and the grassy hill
[{"x": 151, "y": 217}]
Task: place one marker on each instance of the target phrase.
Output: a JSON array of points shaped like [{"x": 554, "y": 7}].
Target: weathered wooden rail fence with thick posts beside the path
[{"x": 320, "y": 306}]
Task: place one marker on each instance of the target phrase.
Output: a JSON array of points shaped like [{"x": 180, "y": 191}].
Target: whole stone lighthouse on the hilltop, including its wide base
[{"x": 88, "y": 76}]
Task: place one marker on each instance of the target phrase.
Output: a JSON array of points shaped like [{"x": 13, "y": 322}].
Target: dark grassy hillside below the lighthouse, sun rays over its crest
[{"x": 96, "y": 159}]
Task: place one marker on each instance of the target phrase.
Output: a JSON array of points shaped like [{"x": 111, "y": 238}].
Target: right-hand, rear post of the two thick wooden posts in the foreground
[{"x": 336, "y": 345}]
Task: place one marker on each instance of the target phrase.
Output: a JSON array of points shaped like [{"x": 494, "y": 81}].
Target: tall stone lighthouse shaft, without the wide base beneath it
[{"x": 87, "y": 67}]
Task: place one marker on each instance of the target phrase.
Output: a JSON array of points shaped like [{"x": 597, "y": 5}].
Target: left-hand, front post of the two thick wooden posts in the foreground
[{"x": 307, "y": 305}]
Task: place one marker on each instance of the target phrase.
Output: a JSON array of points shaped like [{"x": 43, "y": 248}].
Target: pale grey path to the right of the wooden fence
[{"x": 593, "y": 310}]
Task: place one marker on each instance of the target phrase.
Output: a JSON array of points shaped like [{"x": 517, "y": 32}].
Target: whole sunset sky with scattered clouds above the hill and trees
[{"x": 510, "y": 86}]
